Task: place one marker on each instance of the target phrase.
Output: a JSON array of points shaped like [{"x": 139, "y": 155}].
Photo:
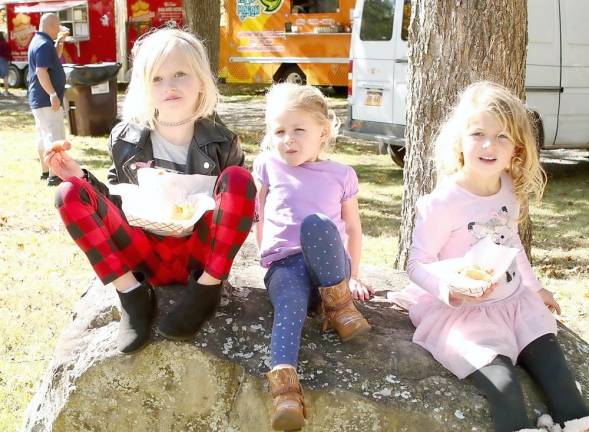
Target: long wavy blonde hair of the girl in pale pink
[{"x": 484, "y": 96}]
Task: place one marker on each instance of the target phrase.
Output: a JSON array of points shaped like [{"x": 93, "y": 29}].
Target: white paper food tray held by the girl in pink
[{"x": 485, "y": 254}]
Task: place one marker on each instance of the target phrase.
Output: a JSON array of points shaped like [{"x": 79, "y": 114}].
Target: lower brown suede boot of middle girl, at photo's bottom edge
[{"x": 289, "y": 406}]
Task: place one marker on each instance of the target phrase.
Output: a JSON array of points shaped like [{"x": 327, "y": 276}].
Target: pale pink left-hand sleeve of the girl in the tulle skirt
[{"x": 432, "y": 231}]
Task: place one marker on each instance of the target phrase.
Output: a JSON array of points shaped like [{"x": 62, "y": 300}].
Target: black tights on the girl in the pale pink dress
[{"x": 544, "y": 361}]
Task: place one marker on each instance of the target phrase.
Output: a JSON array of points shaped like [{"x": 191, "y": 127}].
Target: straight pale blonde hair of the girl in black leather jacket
[{"x": 148, "y": 54}]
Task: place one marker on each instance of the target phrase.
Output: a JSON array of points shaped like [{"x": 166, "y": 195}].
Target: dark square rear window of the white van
[{"x": 377, "y": 20}]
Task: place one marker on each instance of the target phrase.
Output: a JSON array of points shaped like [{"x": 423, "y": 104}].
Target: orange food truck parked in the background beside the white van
[{"x": 304, "y": 41}]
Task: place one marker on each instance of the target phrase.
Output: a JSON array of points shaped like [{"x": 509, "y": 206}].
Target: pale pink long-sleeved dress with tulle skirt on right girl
[{"x": 465, "y": 338}]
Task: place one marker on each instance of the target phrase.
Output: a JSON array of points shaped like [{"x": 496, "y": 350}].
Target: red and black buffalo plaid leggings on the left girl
[{"x": 114, "y": 248}]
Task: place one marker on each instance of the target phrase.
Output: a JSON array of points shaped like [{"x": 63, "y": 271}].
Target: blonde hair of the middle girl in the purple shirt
[{"x": 295, "y": 97}]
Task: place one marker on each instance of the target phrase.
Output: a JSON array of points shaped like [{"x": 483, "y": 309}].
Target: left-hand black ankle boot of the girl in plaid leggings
[{"x": 137, "y": 309}]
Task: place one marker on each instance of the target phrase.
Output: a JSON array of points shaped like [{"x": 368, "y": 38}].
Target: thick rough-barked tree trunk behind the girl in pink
[{"x": 452, "y": 44}]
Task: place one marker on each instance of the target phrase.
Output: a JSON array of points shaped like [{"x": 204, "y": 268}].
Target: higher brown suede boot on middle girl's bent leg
[{"x": 341, "y": 313}]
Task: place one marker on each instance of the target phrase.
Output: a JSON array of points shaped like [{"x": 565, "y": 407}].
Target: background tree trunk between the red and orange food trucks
[{"x": 203, "y": 18}]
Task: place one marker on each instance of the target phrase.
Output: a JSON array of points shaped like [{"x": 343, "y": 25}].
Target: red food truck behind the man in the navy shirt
[{"x": 100, "y": 30}]
